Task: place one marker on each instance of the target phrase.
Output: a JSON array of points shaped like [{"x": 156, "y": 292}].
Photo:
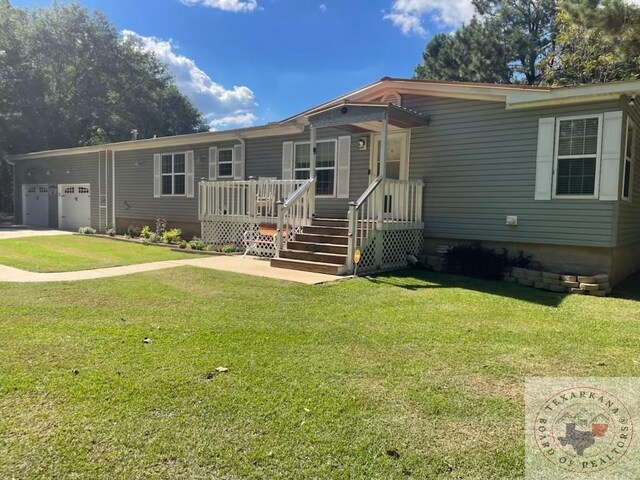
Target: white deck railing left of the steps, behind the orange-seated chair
[{"x": 247, "y": 201}]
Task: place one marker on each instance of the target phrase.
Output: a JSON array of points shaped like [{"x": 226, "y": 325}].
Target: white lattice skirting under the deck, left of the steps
[{"x": 217, "y": 234}]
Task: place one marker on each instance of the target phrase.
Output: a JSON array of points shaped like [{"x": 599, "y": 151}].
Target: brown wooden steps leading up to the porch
[{"x": 320, "y": 248}]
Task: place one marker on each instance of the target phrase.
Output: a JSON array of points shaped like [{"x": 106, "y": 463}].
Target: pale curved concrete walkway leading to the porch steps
[{"x": 246, "y": 265}]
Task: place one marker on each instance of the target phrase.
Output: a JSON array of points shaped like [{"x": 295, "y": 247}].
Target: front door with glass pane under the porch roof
[{"x": 397, "y": 168}]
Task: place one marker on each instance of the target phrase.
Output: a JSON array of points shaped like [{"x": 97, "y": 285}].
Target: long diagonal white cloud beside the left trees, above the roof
[{"x": 228, "y": 107}]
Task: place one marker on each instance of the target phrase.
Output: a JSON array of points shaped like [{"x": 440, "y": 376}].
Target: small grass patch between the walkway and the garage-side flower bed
[{"x": 66, "y": 253}]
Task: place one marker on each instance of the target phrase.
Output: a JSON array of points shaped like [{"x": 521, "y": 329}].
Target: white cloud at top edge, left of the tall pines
[{"x": 408, "y": 14}]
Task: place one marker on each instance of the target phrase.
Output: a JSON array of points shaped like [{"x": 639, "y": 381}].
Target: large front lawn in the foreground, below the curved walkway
[{"x": 391, "y": 377}]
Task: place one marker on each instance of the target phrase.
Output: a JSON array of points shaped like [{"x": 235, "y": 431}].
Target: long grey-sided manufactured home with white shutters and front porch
[{"x": 396, "y": 168}]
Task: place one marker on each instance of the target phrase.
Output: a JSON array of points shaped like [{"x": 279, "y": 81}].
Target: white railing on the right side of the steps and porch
[{"x": 387, "y": 204}]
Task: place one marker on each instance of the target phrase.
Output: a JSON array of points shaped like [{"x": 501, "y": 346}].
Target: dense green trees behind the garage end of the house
[{"x": 67, "y": 79}]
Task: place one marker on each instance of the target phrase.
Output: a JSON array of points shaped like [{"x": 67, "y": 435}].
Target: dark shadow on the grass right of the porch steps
[{"x": 416, "y": 279}]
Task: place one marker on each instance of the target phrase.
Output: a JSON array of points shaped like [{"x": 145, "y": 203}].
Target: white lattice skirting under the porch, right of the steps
[{"x": 388, "y": 250}]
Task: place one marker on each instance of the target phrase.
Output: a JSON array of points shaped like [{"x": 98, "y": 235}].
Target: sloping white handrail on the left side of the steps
[{"x": 302, "y": 203}]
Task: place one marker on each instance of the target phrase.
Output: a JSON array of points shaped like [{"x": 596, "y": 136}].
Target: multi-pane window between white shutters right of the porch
[{"x": 577, "y": 156}]
